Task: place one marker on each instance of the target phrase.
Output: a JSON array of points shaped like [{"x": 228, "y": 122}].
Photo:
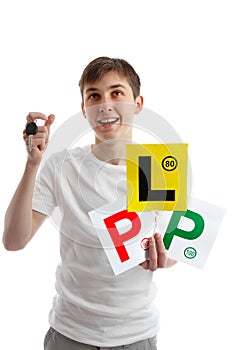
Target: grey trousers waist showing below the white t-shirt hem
[{"x": 56, "y": 341}]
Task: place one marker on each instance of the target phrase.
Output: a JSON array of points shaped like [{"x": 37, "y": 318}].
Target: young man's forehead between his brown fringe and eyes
[{"x": 108, "y": 81}]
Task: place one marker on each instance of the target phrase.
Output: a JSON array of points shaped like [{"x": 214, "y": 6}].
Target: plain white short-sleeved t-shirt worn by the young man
[{"x": 92, "y": 305}]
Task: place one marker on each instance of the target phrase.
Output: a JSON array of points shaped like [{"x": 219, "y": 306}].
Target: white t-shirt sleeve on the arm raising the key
[{"x": 44, "y": 195}]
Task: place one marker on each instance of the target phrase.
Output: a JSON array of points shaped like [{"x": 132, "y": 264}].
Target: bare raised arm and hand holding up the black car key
[{"x": 21, "y": 222}]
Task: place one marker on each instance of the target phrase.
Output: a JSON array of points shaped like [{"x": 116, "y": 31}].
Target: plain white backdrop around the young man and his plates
[{"x": 182, "y": 51}]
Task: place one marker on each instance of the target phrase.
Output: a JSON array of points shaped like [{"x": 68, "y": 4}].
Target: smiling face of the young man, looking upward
[{"x": 109, "y": 107}]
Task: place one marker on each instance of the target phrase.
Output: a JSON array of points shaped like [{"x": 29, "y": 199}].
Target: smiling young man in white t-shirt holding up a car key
[{"x": 93, "y": 308}]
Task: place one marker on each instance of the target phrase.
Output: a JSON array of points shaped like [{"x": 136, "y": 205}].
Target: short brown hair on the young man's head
[{"x": 96, "y": 69}]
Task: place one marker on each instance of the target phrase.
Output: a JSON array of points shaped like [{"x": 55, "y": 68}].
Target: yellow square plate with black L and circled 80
[{"x": 157, "y": 176}]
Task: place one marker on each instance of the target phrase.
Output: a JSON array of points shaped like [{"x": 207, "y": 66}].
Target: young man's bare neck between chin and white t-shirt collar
[{"x": 111, "y": 151}]
